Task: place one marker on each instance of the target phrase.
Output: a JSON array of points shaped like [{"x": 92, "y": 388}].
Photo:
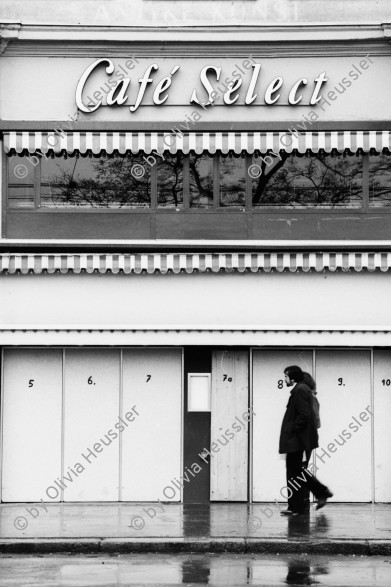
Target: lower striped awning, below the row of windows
[{"x": 129, "y": 263}]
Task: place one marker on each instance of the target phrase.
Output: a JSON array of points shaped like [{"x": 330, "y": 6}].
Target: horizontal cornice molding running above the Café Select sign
[{"x": 274, "y": 40}]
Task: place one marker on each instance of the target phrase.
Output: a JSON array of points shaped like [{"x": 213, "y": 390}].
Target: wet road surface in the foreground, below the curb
[{"x": 195, "y": 569}]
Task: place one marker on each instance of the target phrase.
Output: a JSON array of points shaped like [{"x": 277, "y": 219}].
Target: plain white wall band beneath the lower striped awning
[{"x": 287, "y": 299}]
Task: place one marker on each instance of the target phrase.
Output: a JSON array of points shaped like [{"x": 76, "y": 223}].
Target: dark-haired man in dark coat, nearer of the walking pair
[{"x": 299, "y": 436}]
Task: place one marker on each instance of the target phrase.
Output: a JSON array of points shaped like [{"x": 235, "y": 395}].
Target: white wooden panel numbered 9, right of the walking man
[{"x": 344, "y": 392}]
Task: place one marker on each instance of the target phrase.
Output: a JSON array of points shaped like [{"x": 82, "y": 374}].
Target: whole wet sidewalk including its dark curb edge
[{"x": 218, "y": 527}]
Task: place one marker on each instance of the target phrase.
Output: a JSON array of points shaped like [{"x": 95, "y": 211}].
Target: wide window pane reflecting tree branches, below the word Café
[{"x": 108, "y": 183}]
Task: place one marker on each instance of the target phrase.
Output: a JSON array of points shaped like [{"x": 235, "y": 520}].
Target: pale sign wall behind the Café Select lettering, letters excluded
[{"x": 45, "y": 87}]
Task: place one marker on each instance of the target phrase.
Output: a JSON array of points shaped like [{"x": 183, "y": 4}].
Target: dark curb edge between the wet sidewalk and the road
[{"x": 191, "y": 545}]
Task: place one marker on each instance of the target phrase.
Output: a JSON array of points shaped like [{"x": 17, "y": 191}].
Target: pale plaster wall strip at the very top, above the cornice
[{"x": 202, "y": 12}]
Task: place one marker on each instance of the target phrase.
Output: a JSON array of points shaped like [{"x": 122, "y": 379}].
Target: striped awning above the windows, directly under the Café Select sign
[{"x": 59, "y": 141}]
